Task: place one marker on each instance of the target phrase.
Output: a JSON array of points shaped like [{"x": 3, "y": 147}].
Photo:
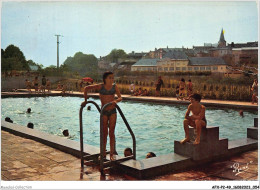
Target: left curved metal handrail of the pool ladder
[{"x": 81, "y": 129}]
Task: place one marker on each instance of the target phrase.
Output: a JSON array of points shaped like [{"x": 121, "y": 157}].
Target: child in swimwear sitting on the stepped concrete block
[{"x": 196, "y": 120}]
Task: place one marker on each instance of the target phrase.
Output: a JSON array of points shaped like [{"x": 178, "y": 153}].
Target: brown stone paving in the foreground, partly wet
[{"x": 27, "y": 160}]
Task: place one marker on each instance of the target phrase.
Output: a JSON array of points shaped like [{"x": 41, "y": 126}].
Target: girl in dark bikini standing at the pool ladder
[{"x": 107, "y": 92}]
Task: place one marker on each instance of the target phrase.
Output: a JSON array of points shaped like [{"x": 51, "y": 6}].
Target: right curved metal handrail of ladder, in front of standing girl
[{"x": 102, "y": 134}]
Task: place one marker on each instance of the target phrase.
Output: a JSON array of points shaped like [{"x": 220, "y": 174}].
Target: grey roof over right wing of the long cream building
[{"x": 206, "y": 61}]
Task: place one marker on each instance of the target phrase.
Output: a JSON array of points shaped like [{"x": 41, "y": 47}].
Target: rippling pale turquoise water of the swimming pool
[{"x": 155, "y": 126}]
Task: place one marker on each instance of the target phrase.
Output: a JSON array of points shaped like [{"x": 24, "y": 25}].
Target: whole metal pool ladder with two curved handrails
[{"x": 91, "y": 157}]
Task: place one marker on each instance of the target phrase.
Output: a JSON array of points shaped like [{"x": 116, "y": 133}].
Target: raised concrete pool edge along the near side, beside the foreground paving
[{"x": 141, "y": 169}]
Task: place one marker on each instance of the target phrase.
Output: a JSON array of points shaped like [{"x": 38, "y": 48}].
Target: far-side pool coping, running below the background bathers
[{"x": 151, "y": 99}]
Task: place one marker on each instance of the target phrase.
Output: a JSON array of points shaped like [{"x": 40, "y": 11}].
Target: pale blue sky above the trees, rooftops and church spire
[{"x": 93, "y": 27}]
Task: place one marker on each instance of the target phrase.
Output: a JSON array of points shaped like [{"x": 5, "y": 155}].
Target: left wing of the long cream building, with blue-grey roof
[{"x": 145, "y": 65}]
